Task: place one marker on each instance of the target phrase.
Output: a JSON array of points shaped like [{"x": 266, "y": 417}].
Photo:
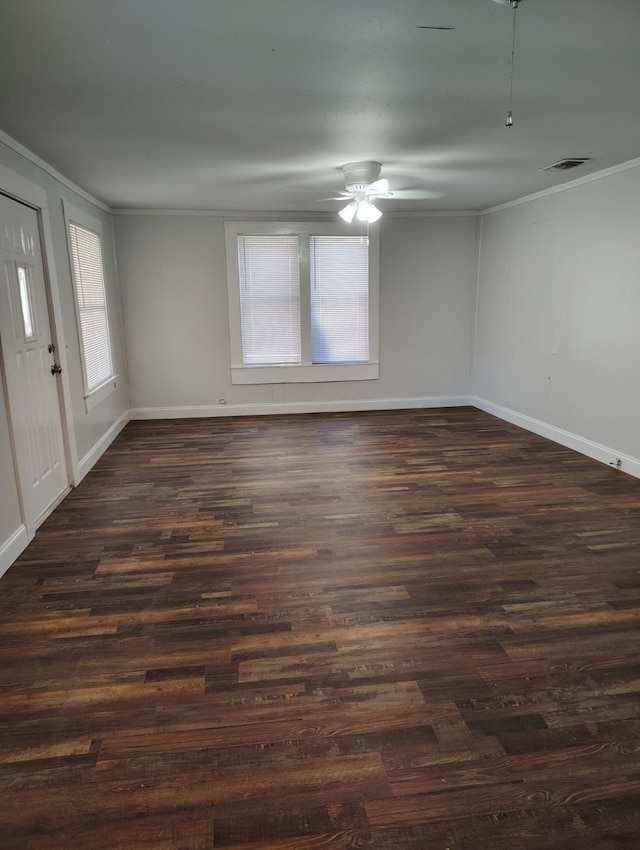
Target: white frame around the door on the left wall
[{"x": 24, "y": 191}]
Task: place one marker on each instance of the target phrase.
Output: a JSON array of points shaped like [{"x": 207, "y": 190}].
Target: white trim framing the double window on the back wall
[{"x": 305, "y": 372}]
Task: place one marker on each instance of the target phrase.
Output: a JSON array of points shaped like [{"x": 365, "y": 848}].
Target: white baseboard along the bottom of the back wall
[{"x": 216, "y": 410}]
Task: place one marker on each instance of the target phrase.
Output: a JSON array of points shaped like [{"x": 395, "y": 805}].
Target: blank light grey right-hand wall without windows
[{"x": 562, "y": 273}]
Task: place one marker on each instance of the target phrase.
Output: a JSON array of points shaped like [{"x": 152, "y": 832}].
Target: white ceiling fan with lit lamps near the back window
[{"x": 363, "y": 187}]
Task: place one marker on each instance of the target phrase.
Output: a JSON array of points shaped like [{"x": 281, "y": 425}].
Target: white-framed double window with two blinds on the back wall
[{"x": 303, "y": 302}]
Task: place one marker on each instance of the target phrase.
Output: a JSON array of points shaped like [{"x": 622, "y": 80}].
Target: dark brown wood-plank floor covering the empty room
[{"x": 406, "y": 630}]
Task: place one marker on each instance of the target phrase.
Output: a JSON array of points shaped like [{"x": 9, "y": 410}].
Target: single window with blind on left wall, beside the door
[{"x": 85, "y": 252}]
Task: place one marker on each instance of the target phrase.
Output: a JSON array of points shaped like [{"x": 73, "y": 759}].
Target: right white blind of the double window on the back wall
[{"x": 339, "y": 269}]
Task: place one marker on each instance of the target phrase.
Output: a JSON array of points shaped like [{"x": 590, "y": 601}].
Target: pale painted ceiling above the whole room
[{"x": 255, "y": 104}]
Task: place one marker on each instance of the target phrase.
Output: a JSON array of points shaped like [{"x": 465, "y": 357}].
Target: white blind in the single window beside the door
[{"x": 86, "y": 254}]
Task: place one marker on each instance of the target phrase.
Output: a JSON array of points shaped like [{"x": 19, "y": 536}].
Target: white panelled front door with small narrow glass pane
[{"x": 28, "y": 356}]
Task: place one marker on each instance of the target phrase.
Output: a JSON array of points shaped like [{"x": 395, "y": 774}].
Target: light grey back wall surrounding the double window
[{"x": 174, "y": 288}]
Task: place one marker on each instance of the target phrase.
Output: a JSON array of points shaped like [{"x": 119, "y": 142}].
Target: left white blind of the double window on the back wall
[{"x": 269, "y": 299}]
